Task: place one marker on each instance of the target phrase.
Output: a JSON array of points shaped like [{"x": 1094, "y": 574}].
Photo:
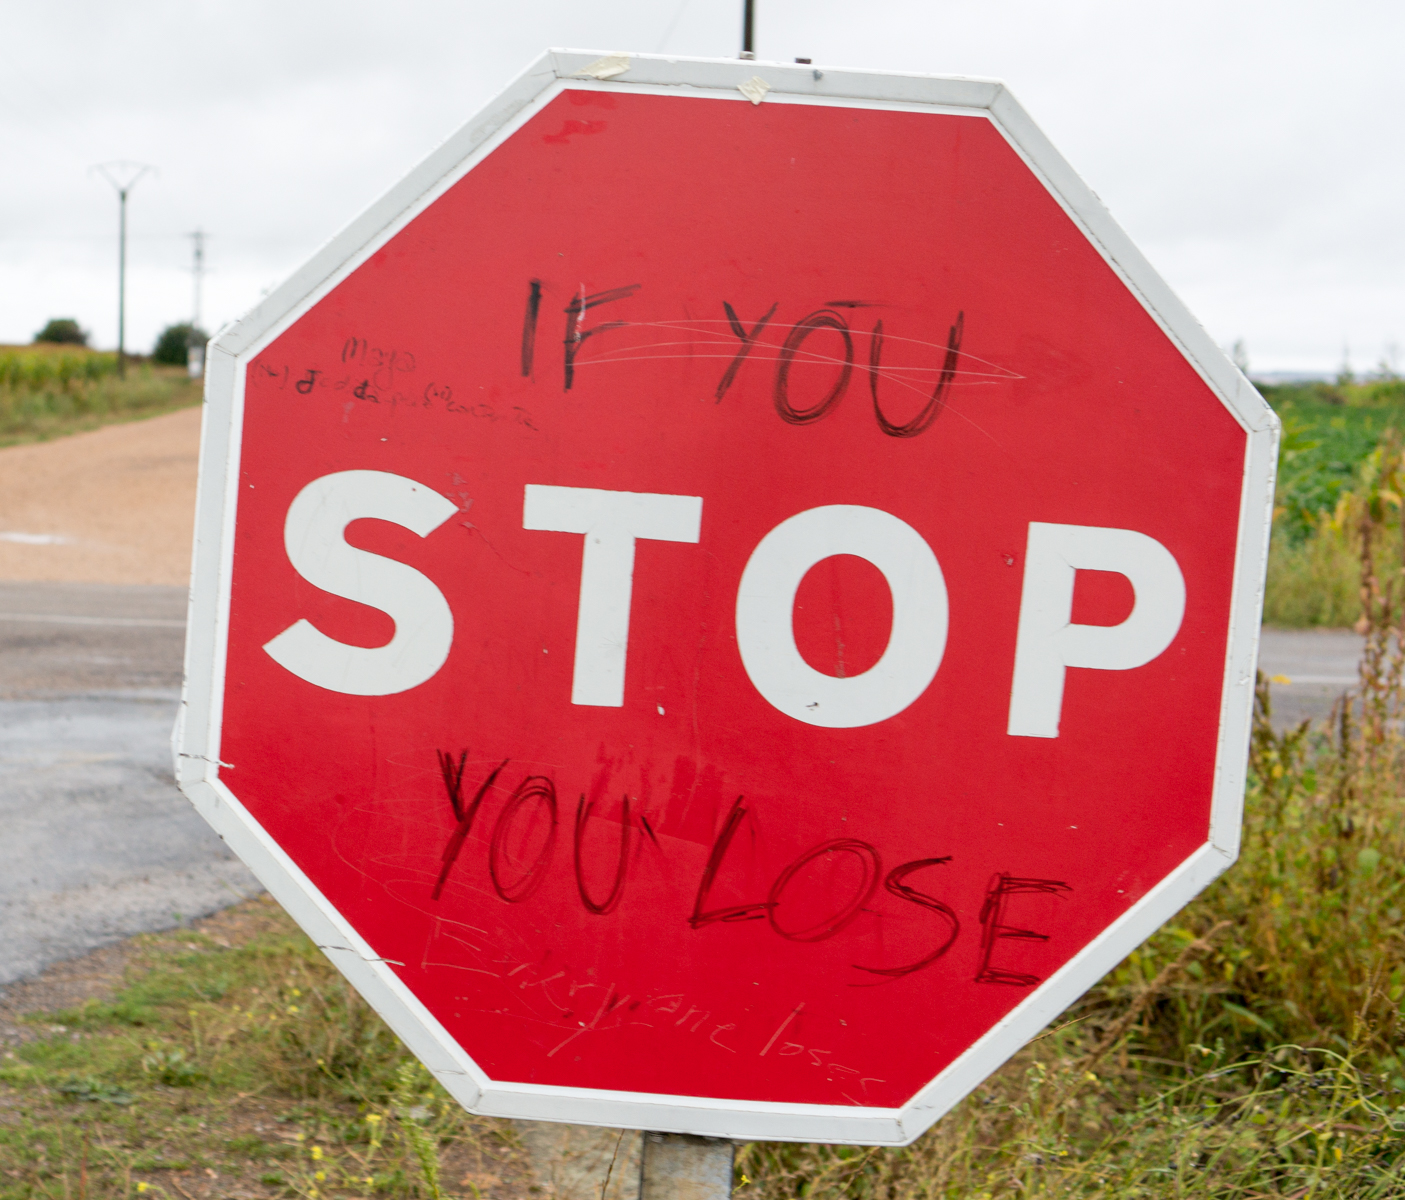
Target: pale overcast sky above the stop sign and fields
[{"x": 1255, "y": 151}]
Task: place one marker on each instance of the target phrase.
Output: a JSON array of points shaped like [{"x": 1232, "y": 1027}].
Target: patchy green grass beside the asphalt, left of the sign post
[{"x": 248, "y": 1069}]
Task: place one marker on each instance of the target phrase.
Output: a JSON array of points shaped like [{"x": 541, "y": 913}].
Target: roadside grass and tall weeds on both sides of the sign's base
[{"x": 1253, "y": 1049}]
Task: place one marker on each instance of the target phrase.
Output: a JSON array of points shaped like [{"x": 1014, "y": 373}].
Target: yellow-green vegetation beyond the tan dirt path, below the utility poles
[{"x": 51, "y": 390}]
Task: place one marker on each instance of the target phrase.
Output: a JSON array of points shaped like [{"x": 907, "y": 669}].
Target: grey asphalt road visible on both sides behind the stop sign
[{"x": 96, "y": 842}]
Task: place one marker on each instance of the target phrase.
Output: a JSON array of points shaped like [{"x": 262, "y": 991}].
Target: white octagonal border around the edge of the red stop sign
[{"x": 196, "y": 740}]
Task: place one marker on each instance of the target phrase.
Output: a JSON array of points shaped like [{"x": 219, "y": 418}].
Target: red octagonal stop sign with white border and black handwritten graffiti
[{"x": 728, "y": 598}]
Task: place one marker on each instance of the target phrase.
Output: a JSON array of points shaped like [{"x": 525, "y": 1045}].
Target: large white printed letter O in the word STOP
[{"x": 766, "y": 602}]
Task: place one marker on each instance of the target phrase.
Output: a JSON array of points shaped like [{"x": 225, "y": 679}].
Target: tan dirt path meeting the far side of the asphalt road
[{"x": 112, "y": 507}]
